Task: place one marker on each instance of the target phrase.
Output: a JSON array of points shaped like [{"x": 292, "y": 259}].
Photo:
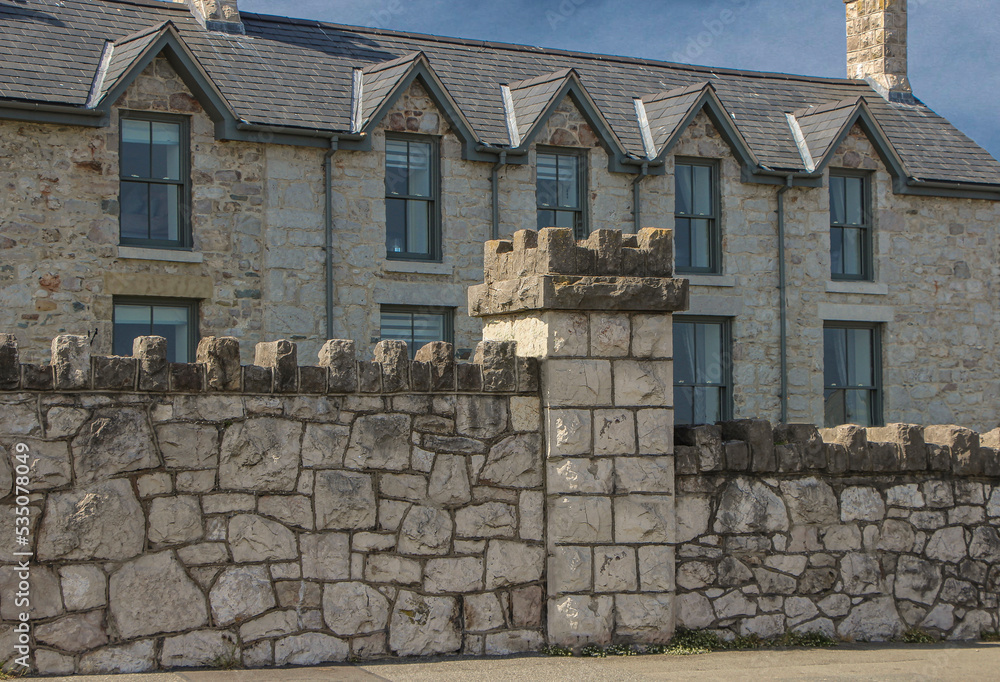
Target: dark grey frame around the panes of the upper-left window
[{"x": 185, "y": 241}]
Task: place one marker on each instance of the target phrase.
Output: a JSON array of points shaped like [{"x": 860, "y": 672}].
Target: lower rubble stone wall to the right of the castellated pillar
[{"x": 862, "y": 534}]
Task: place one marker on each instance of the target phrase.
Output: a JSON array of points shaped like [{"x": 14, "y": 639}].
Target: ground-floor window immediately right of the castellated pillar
[{"x": 703, "y": 391}]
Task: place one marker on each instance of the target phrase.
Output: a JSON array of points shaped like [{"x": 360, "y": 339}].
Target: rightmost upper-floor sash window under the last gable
[{"x": 850, "y": 227}]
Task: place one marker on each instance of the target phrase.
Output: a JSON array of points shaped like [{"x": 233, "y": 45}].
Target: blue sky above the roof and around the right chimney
[{"x": 954, "y": 58}]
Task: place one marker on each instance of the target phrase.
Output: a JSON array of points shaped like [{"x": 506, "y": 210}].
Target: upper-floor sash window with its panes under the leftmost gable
[{"x": 154, "y": 190}]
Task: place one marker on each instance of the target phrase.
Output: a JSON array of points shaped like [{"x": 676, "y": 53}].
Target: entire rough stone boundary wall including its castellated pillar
[{"x": 218, "y": 514}]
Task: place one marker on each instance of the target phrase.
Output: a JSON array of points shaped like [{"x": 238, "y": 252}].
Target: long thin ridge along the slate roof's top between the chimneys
[{"x": 519, "y": 47}]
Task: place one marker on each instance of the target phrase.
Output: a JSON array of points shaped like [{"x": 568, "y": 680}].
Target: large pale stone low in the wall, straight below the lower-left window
[{"x": 153, "y": 594}]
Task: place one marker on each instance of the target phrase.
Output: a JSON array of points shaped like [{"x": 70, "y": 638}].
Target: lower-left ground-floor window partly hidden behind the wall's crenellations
[{"x": 176, "y": 320}]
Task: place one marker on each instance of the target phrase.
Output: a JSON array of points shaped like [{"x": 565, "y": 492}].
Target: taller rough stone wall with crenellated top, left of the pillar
[{"x": 211, "y": 514}]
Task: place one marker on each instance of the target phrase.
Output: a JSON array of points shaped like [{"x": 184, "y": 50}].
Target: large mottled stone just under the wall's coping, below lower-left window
[{"x": 115, "y": 440}]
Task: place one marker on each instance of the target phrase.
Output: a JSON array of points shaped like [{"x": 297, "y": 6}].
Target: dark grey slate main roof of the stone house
[{"x": 298, "y": 73}]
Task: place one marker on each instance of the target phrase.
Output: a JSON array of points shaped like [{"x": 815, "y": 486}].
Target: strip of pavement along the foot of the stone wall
[{"x": 854, "y": 662}]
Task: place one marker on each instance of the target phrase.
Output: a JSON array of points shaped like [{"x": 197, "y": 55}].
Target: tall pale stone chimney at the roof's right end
[{"x": 876, "y": 45}]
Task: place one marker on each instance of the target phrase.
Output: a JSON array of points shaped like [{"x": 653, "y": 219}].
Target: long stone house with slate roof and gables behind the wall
[{"x": 187, "y": 170}]
